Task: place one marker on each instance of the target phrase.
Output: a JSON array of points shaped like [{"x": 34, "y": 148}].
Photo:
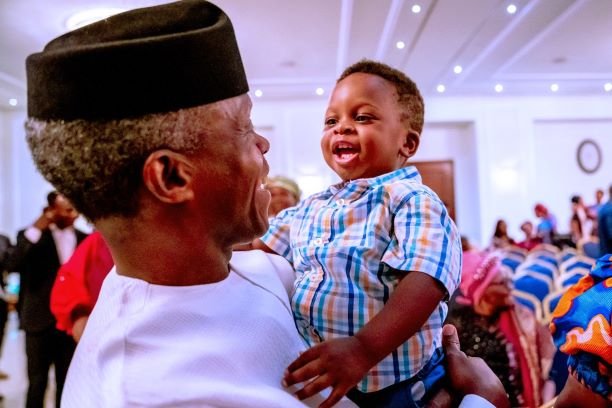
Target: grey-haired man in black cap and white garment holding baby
[{"x": 143, "y": 121}]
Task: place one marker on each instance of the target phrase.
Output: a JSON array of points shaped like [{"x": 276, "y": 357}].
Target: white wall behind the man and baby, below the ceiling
[{"x": 509, "y": 153}]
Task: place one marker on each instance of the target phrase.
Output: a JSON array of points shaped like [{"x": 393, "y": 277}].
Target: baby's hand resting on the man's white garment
[{"x": 339, "y": 363}]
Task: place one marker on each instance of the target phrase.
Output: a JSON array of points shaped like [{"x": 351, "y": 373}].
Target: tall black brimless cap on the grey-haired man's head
[{"x": 149, "y": 60}]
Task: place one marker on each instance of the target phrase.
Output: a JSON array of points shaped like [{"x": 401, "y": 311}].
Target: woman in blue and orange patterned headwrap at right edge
[{"x": 581, "y": 328}]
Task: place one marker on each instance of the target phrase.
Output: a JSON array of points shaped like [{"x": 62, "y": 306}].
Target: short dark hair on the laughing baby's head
[{"x": 409, "y": 96}]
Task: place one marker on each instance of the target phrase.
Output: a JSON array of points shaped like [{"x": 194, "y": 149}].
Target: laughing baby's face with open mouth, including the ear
[{"x": 364, "y": 135}]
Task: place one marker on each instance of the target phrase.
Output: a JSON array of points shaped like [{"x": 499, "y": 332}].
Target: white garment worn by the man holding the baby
[{"x": 225, "y": 344}]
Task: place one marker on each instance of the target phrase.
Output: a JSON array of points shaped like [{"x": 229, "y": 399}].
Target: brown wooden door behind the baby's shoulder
[{"x": 440, "y": 177}]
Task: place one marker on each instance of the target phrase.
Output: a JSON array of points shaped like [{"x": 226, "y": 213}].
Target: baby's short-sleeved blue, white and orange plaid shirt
[{"x": 351, "y": 244}]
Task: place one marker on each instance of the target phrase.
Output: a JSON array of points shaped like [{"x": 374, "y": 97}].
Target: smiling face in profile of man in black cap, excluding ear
[{"x": 231, "y": 172}]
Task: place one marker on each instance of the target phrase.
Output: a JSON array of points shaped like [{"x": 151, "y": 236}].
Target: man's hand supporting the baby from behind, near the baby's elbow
[{"x": 471, "y": 375}]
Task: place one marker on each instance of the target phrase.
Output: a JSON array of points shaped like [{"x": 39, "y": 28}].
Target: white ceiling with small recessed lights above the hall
[{"x": 292, "y": 47}]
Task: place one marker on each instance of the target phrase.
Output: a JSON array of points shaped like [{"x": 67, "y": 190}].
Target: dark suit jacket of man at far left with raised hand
[{"x": 37, "y": 264}]
